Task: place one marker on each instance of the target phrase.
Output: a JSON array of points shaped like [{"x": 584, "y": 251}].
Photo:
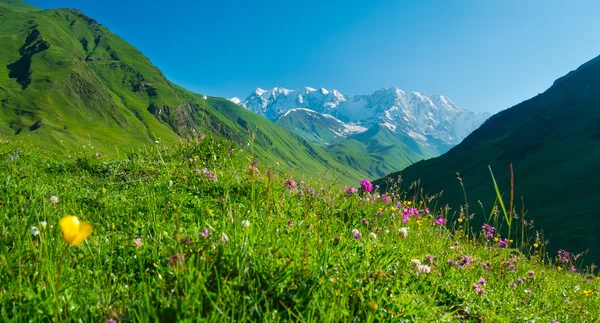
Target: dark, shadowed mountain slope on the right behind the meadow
[{"x": 553, "y": 141}]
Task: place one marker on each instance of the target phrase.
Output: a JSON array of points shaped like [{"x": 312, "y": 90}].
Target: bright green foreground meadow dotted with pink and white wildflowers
[{"x": 200, "y": 232}]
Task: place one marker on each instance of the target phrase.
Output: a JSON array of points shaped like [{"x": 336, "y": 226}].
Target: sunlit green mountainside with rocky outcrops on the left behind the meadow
[{"x": 66, "y": 81}]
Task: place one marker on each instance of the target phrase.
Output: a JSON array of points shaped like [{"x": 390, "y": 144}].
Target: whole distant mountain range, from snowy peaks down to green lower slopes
[{"x": 375, "y": 134}]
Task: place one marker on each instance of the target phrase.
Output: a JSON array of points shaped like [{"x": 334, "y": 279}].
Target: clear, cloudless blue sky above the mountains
[{"x": 484, "y": 55}]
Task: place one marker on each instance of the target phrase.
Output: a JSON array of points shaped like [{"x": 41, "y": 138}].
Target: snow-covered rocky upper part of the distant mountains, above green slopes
[{"x": 429, "y": 119}]
